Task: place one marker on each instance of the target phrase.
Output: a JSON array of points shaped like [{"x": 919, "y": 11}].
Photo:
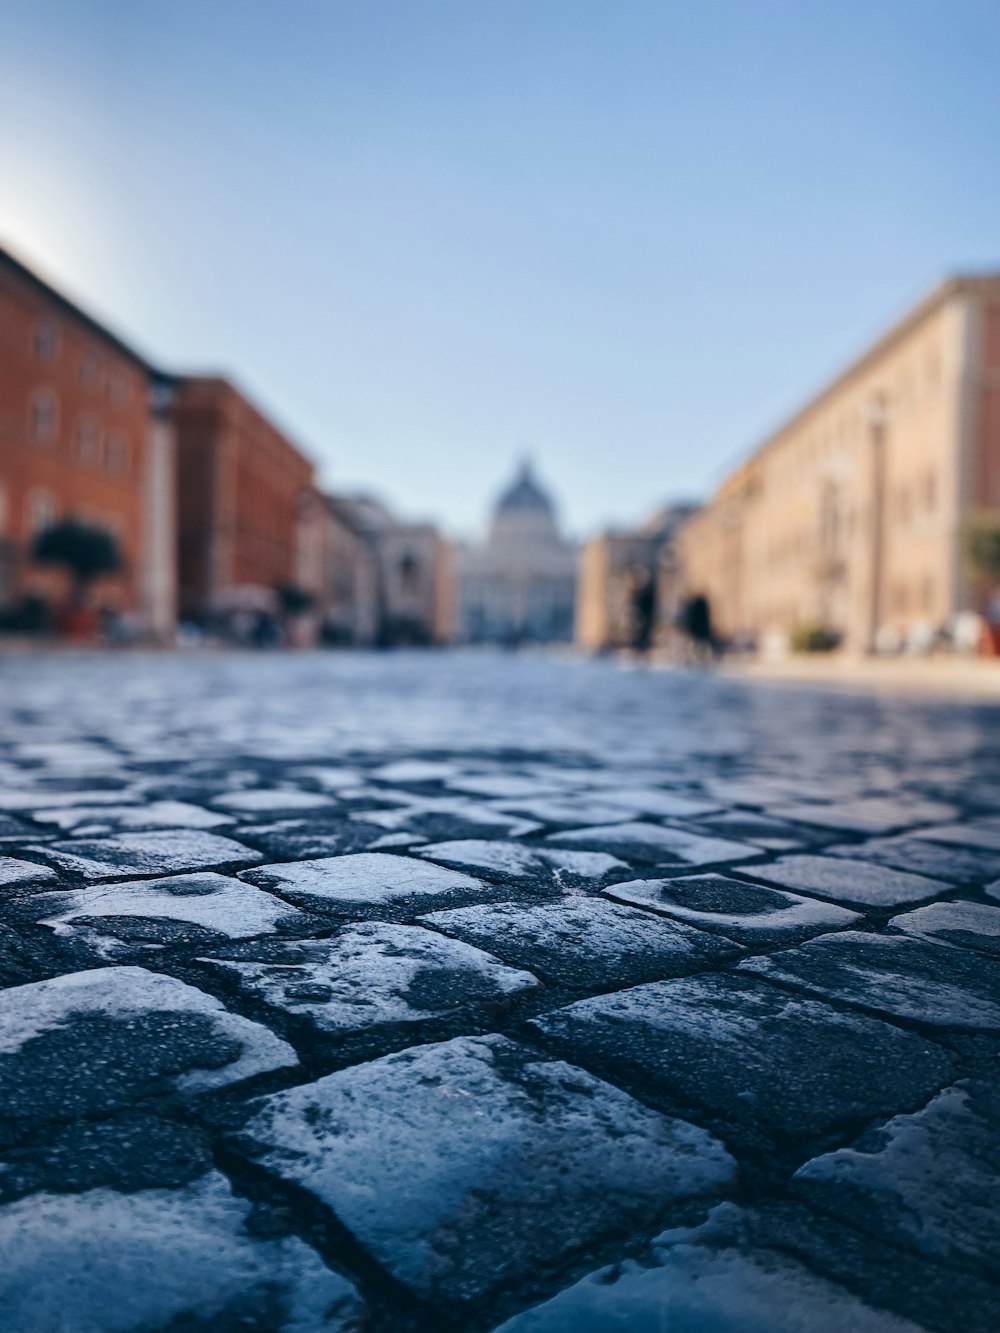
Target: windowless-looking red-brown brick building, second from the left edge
[{"x": 242, "y": 489}]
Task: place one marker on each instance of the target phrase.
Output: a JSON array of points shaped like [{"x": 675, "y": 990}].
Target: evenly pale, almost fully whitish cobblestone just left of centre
[{"x": 369, "y": 879}]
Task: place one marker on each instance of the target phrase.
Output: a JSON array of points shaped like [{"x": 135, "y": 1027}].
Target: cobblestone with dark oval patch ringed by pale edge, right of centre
[{"x": 751, "y": 914}]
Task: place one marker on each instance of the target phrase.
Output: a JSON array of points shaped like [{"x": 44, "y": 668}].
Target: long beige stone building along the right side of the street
[{"x": 853, "y": 517}]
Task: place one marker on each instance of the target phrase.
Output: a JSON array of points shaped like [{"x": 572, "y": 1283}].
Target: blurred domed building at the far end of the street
[{"x": 518, "y": 587}]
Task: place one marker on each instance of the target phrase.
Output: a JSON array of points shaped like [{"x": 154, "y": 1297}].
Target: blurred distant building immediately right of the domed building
[{"x": 627, "y": 581}]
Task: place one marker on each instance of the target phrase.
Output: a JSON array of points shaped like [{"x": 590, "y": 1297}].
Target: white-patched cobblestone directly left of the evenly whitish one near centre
[{"x": 210, "y": 902}]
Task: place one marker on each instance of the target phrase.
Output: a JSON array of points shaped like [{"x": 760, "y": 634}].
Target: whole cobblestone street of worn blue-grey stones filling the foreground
[{"x": 451, "y": 992}]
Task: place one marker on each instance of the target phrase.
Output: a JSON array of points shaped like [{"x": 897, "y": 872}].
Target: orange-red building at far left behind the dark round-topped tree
[{"x": 85, "y": 435}]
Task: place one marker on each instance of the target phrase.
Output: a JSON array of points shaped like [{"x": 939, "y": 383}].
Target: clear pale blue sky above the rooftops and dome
[{"x": 430, "y": 238}]
